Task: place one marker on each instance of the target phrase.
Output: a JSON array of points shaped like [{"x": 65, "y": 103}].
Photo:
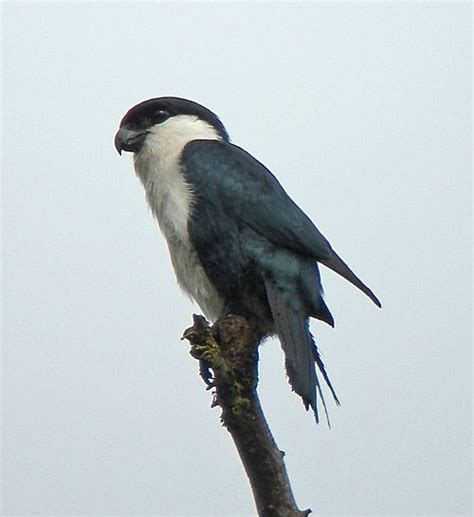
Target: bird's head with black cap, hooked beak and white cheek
[{"x": 166, "y": 119}]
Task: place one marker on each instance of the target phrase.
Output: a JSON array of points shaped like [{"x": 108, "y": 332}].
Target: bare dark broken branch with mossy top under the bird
[{"x": 230, "y": 350}]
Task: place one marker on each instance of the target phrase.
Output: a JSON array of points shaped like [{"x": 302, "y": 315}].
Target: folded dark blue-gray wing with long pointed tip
[{"x": 245, "y": 189}]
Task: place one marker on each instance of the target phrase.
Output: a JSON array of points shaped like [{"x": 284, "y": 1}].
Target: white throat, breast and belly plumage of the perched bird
[{"x": 171, "y": 201}]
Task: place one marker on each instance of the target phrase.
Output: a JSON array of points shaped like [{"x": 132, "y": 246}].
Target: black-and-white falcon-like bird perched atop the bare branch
[{"x": 238, "y": 243}]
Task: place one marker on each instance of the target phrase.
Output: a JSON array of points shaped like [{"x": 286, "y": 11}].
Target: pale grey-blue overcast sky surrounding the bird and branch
[{"x": 362, "y": 110}]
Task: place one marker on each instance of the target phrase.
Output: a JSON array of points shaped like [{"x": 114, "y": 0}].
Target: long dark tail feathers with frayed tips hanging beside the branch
[{"x": 300, "y": 351}]
